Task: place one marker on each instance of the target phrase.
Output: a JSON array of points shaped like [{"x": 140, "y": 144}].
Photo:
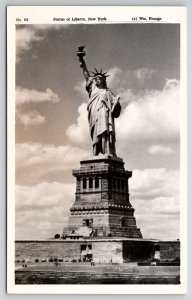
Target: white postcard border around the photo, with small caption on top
[{"x": 44, "y": 15}]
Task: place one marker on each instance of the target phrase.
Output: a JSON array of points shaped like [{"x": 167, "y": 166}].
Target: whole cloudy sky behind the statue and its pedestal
[{"x": 52, "y": 132}]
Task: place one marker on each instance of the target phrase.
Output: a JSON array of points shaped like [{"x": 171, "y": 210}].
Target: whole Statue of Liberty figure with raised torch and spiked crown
[{"x": 102, "y": 108}]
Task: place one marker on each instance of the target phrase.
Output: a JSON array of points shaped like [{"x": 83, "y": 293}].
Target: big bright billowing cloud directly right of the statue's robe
[{"x": 153, "y": 117}]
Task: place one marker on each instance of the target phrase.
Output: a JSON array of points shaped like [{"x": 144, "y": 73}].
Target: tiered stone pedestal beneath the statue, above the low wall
[{"x": 102, "y": 206}]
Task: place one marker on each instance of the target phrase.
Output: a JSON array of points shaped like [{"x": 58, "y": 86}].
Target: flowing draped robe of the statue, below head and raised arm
[{"x": 101, "y": 121}]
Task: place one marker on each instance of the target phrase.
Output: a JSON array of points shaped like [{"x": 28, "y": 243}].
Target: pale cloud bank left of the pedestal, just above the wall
[{"x": 42, "y": 210}]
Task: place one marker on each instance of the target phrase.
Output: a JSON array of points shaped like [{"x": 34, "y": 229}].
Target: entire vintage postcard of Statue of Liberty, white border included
[{"x": 97, "y": 149}]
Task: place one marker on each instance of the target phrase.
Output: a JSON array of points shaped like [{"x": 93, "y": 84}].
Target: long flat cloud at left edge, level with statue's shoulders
[{"x": 26, "y": 96}]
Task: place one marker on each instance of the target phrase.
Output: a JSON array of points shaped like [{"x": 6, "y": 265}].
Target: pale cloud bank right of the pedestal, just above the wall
[{"x": 154, "y": 193}]
